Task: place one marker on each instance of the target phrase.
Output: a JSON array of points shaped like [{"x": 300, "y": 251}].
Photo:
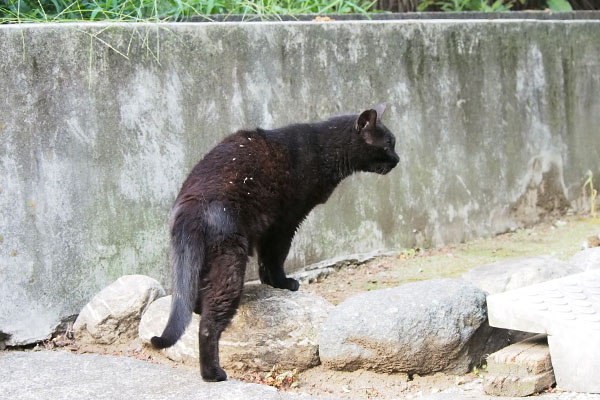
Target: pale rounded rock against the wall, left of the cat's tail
[{"x": 113, "y": 315}]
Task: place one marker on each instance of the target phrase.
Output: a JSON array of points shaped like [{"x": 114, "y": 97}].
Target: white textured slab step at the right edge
[{"x": 568, "y": 310}]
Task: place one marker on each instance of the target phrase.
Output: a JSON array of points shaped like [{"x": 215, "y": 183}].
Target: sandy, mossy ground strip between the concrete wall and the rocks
[{"x": 558, "y": 240}]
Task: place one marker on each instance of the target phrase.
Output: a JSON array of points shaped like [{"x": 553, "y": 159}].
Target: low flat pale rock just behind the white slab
[{"x": 512, "y": 274}]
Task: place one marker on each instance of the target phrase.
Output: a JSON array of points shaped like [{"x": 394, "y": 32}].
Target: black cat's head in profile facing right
[{"x": 376, "y": 142}]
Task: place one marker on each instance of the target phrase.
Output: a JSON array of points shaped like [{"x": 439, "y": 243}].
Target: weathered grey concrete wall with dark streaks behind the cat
[{"x": 497, "y": 123}]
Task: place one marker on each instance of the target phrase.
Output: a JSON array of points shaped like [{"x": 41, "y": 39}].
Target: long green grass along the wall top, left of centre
[{"x": 18, "y": 11}]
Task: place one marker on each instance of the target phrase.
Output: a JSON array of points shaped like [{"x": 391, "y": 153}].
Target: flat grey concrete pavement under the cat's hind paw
[{"x": 63, "y": 375}]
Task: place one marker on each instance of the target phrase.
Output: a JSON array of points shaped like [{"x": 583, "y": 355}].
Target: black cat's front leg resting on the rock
[{"x": 273, "y": 249}]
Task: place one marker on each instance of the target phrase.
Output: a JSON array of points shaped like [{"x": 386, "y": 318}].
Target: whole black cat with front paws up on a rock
[{"x": 252, "y": 191}]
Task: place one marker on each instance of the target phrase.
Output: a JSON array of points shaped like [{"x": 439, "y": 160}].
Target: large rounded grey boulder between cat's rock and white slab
[{"x": 423, "y": 327}]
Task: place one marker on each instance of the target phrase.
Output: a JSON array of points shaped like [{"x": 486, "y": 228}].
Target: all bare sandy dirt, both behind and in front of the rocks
[{"x": 561, "y": 238}]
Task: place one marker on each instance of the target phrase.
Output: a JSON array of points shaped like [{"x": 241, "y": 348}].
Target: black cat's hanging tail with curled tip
[{"x": 187, "y": 258}]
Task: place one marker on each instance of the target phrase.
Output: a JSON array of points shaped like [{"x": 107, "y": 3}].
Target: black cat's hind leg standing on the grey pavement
[{"x": 220, "y": 294}]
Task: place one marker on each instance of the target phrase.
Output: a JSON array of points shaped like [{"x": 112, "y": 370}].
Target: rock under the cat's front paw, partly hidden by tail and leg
[{"x": 271, "y": 326}]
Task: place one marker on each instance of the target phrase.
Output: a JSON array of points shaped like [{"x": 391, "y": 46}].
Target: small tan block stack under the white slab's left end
[{"x": 521, "y": 369}]
